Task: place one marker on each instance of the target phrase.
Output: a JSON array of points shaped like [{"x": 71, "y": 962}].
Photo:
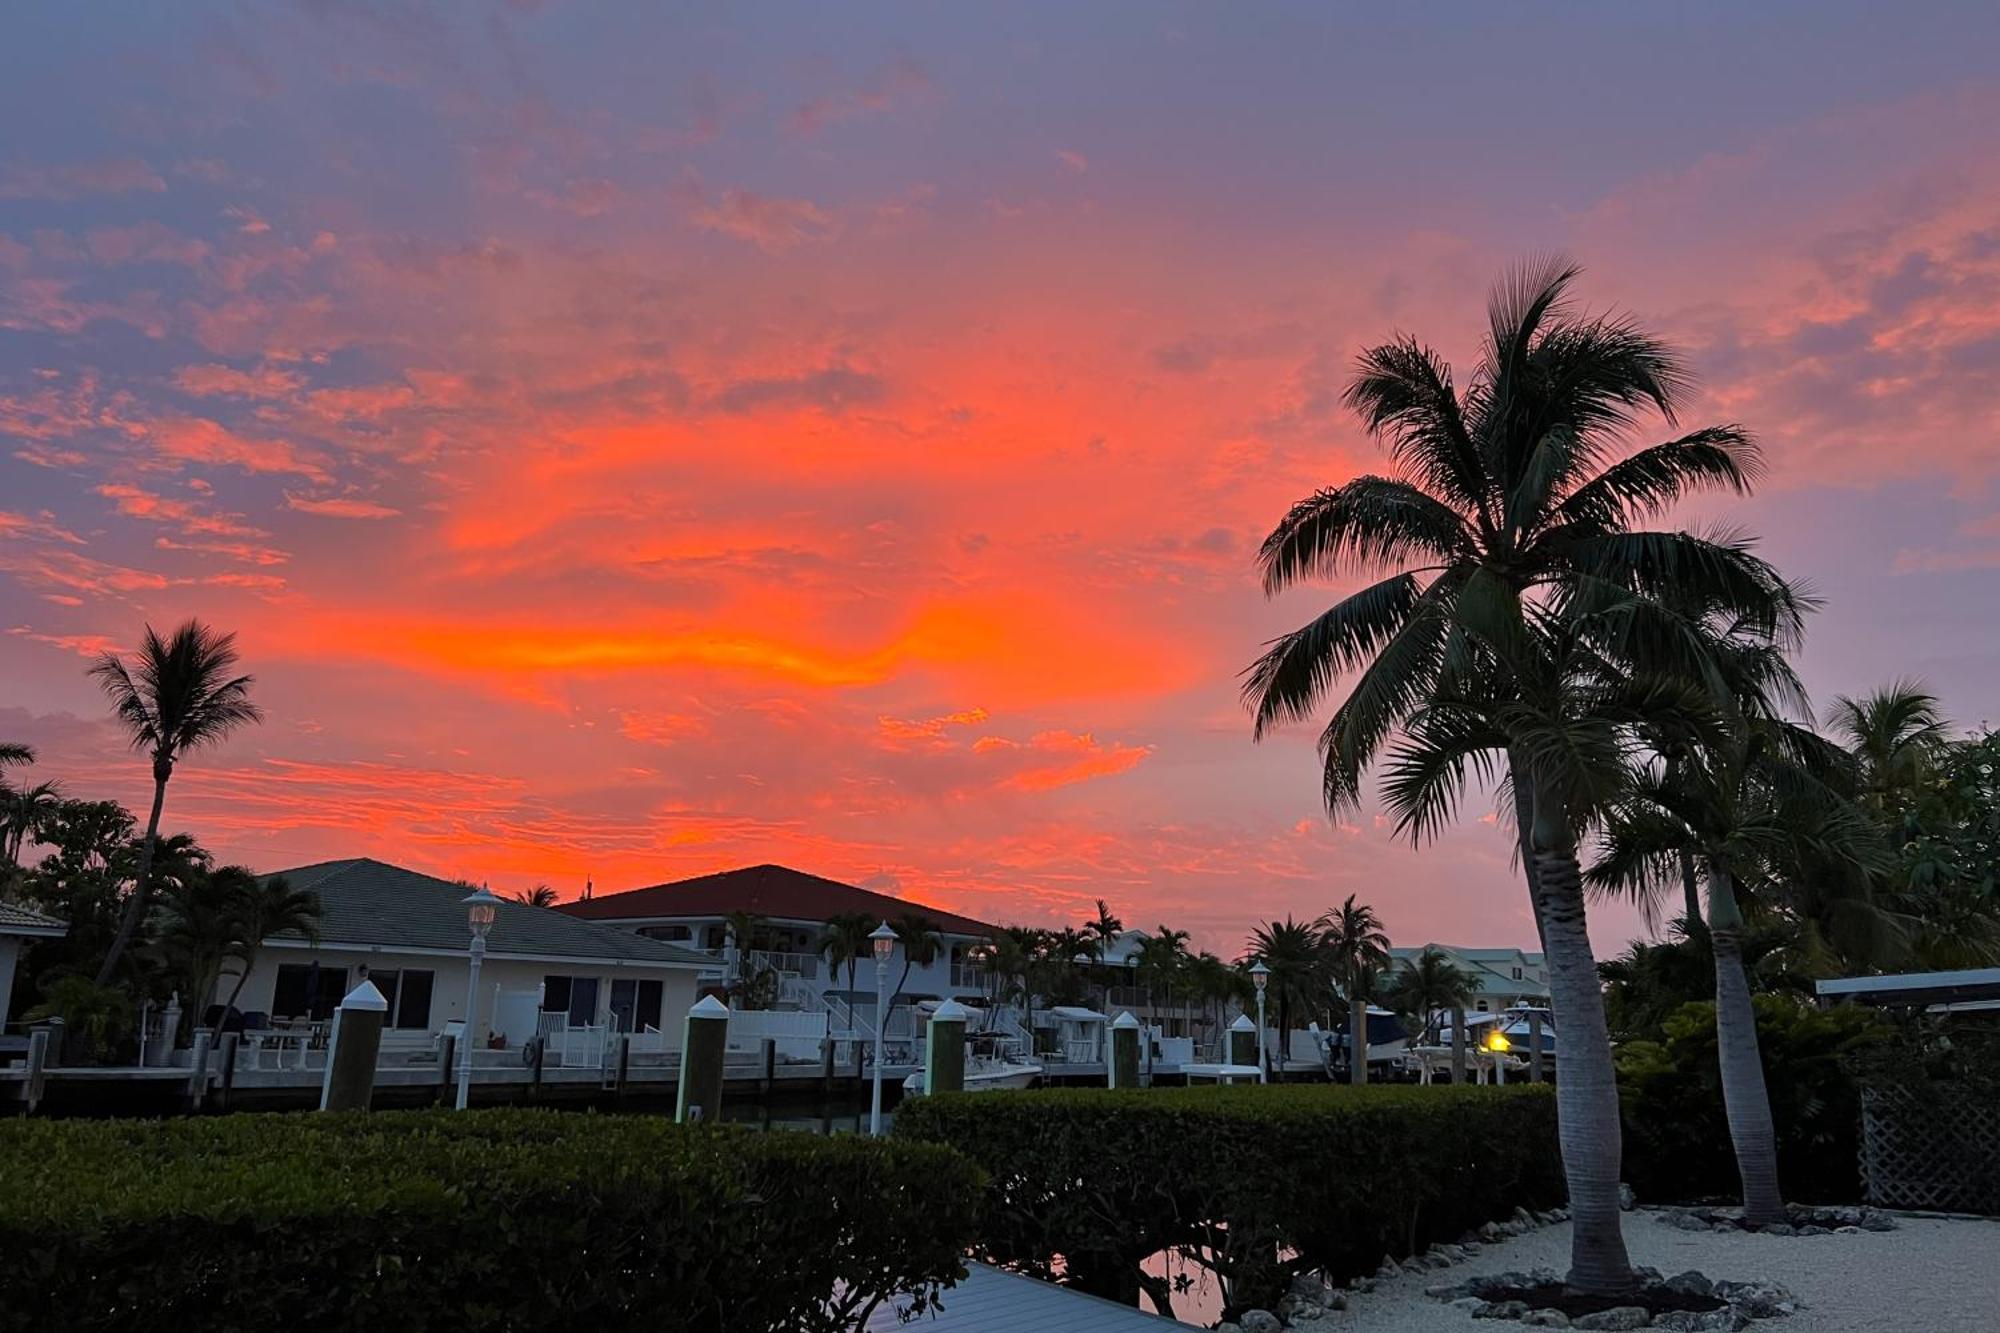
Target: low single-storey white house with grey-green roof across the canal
[{"x": 407, "y": 934}]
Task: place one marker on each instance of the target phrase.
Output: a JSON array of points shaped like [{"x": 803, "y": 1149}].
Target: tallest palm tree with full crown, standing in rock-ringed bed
[{"x": 1519, "y": 503}]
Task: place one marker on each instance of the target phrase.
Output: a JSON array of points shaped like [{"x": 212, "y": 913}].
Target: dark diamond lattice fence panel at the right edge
[{"x": 1935, "y": 1152}]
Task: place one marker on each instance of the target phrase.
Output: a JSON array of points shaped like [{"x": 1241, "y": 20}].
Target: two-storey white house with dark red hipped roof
[{"x": 795, "y": 910}]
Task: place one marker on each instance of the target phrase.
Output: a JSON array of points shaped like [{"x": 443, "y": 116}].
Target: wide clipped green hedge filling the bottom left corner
[{"x": 491, "y": 1220}]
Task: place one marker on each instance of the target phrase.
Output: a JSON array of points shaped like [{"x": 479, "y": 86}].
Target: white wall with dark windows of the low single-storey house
[{"x": 449, "y": 980}]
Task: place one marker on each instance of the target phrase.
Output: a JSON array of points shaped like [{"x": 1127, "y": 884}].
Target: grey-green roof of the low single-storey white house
[{"x": 385, "y": 906}]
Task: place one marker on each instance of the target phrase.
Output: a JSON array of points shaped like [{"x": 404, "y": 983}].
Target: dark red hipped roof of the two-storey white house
[{"x": 773, "y": 892}]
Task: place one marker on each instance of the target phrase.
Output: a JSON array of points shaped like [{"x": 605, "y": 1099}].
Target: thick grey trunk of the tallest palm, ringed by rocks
[{"x": 1587, "y": 1088}]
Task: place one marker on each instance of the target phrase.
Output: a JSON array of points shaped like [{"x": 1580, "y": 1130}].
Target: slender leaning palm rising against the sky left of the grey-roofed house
[{"x": 179, "y": 696}]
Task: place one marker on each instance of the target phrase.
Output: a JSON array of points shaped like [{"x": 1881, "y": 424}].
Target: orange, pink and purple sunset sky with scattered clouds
[{"x": 637, "y": 441}]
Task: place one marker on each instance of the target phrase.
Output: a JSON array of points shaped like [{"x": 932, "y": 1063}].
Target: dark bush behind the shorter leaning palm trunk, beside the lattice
[{"x": 1677, "y": 1138}]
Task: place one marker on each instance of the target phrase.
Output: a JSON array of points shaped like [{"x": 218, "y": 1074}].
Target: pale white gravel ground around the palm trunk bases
[{"x": 1929, "y": 1276}]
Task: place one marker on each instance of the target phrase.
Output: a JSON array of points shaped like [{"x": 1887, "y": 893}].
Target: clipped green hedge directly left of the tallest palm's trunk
[{"x": 1087, "y": 1184}]
